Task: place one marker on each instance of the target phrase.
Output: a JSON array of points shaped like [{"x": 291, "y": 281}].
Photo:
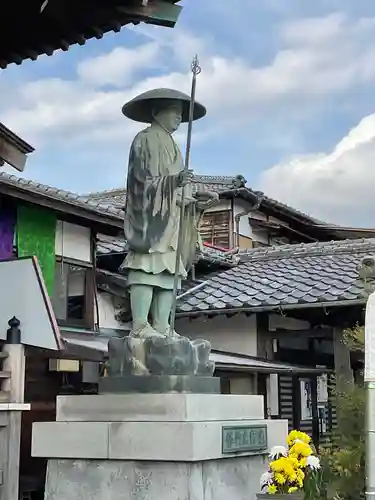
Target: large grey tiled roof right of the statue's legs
[{"x": 287, "y": 277}]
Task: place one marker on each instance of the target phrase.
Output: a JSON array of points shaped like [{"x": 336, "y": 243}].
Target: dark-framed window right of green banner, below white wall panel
[{"x": 73, "y": 297}]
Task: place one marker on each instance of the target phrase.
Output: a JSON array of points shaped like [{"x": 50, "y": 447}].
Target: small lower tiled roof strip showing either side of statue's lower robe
[{"x": 116, "y": 245}]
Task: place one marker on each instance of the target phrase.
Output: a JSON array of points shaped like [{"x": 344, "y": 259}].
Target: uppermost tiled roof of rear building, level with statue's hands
[{"x": 236, "y": 185}]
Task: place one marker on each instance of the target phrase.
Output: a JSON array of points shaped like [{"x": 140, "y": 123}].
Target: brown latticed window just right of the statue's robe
[{"x": 215, "y": 228}]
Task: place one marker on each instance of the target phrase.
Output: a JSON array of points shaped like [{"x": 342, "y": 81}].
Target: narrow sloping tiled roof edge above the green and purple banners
[{"x": 56, "y": 194}]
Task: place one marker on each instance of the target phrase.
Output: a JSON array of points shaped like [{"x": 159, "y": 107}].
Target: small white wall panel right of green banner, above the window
[{"x": 73, "y": 241}]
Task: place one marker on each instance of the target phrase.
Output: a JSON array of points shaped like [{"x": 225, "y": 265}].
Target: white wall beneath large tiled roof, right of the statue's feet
[{"x": 236, "y": 334}]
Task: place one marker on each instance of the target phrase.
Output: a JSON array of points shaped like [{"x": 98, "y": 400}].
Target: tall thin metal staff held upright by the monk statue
[{"x": 195, "y": 69}]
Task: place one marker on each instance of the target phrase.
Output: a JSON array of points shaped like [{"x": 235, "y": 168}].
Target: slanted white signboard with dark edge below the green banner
[{"x": 23, "y": 294}]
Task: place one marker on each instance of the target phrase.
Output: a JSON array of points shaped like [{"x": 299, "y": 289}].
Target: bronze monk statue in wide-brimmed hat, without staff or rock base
[{"x": 156, "y": 176}]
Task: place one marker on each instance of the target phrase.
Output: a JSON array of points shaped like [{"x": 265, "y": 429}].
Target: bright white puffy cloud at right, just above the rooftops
[{"x": 337, "y": 186}]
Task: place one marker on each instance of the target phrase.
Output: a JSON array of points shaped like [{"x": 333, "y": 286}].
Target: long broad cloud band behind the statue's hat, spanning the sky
[{"x": 234, "y": 91}]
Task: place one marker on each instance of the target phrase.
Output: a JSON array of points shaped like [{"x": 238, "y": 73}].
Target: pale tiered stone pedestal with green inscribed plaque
[{"x": 156, "y": 447}]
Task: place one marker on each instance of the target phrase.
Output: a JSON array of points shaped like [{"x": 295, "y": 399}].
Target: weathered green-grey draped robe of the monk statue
[{"x": 152, "y": 211}]
